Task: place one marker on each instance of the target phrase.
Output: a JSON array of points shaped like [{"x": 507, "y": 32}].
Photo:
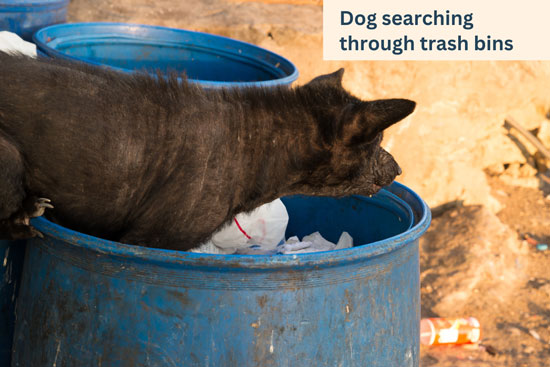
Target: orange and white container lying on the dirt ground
[{"x": 438, "y": 331}]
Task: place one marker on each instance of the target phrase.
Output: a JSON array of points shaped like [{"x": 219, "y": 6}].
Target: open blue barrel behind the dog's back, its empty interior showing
[{"x": 212, "y": 60}]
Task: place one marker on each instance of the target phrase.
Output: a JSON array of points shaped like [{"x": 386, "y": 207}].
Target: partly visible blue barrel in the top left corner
[{"x": 24, "y": 17}]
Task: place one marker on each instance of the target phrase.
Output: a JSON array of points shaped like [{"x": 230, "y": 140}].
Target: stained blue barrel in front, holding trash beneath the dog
[{"x": 89, "y": 302}]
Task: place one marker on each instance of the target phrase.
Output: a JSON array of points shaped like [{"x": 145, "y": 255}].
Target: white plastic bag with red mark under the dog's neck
[{"x": 264, "y": 226}]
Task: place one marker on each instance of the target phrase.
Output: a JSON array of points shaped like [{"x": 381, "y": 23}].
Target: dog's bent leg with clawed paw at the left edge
[{"x": 15, "y": 207}]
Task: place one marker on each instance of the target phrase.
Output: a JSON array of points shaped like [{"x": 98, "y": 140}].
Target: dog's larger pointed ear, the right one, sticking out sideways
[{"x": 361, "y": 122}]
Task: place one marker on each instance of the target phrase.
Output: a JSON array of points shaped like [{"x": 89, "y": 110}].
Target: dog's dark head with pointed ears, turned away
[{"x": 345, "y": 156}]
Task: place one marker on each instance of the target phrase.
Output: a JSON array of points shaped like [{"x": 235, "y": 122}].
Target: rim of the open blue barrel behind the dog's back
[{"x": 40, "y": 39}]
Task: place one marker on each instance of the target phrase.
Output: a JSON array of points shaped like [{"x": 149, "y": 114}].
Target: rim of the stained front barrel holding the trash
[{"x": 175, "y": 257}]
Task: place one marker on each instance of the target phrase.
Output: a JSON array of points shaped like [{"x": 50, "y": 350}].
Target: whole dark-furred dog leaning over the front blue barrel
[{"x": 159, "y": 162}]
